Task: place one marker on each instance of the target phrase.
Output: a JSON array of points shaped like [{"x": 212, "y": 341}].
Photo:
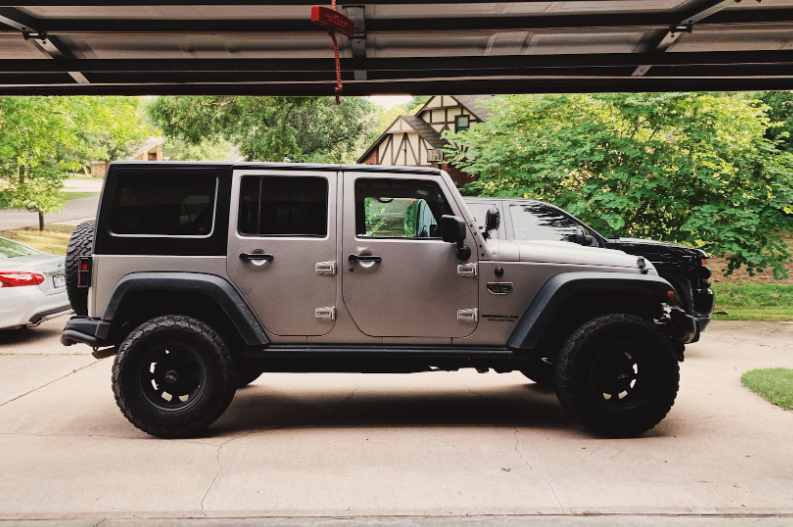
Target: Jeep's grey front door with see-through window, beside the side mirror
[{"x": 400, "y": 279}]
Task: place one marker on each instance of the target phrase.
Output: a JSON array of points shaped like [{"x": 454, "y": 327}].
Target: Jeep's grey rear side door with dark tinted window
[{"x": 282, "y": 248}]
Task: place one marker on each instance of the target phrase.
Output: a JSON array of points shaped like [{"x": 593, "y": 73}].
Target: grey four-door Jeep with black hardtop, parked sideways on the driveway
[{"x": 201, "y": 276}]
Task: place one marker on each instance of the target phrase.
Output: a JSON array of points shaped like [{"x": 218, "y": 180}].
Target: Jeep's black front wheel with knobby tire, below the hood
[{"x": 618, "y": 374}]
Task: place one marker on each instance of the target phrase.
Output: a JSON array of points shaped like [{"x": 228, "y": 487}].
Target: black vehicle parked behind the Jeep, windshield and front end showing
[{"x": 684, "y": 267}]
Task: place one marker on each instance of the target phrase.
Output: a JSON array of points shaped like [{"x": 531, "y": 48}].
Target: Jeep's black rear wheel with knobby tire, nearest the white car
[{"x": 173, "y": 376}]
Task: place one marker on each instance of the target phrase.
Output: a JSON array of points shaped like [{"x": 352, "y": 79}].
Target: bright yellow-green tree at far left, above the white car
[{"x": 43, "y": 138}]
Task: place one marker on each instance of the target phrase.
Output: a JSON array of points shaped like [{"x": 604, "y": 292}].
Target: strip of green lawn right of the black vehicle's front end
[{"x": 754, "y": 301}]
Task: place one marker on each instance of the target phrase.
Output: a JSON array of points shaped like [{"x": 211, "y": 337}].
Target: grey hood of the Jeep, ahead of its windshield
[{"x": 560, "y": 253}]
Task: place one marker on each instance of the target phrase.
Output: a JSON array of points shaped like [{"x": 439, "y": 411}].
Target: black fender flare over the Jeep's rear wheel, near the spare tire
[{"x": 217, "y": 288}]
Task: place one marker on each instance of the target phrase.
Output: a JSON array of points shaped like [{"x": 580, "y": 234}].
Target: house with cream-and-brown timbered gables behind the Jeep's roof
[{"x": 417, "y": 140}]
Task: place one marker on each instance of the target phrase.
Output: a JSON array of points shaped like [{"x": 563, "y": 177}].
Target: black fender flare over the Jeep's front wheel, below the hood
[{"x": 558, "y": 289}]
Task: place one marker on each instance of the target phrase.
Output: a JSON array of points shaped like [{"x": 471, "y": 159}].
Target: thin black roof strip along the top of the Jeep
[{"x": 279, "y": 166}]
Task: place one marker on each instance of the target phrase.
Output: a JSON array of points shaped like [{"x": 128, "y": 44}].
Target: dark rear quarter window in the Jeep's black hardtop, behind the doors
[{"x": 164, "y": 205}]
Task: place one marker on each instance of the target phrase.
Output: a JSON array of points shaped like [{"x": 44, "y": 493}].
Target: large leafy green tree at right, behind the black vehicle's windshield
[{"x": 685, "y": 167}]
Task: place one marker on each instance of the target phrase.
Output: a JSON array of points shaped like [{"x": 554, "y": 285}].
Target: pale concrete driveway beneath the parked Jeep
[{"x": 431, "y": 444}]
